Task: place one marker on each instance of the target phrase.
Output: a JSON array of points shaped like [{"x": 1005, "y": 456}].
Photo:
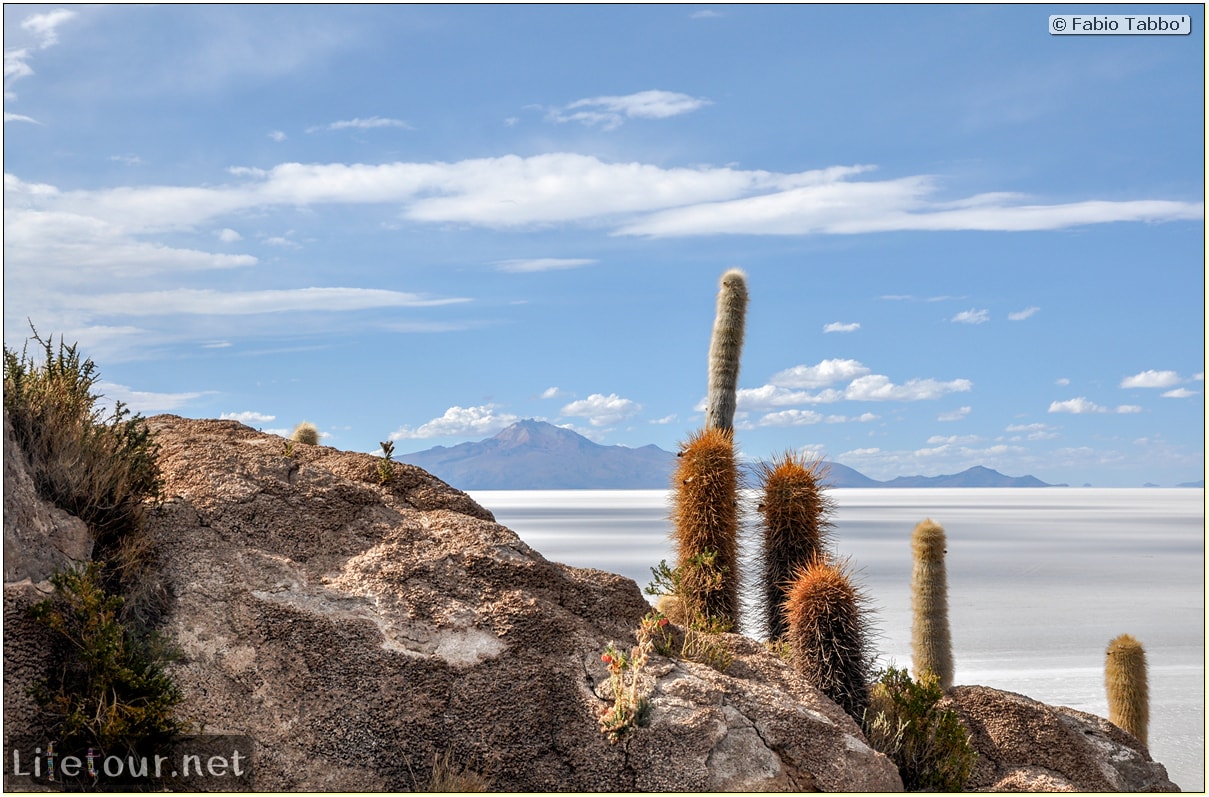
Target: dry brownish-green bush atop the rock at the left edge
[{"x": 99, "y": 467}]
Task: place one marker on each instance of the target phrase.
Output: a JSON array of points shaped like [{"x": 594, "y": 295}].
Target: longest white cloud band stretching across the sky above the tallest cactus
[{"x": 511, "y": 192}]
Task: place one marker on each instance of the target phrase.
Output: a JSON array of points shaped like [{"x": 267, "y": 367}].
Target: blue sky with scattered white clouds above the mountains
[{"x": 968, "y": 241}]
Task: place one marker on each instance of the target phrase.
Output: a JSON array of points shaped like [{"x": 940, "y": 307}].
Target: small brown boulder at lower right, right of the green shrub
[{"x": 1025, "y": 746}]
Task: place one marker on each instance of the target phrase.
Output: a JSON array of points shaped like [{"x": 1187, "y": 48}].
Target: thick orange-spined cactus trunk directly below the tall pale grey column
[{"x": 707, "y": 524}]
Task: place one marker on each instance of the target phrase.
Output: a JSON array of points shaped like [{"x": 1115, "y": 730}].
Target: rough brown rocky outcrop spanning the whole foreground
[{"x": 358, "y": 631}]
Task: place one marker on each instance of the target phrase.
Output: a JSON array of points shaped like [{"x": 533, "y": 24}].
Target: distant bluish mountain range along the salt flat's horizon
[{"x": 535, "y": 455}]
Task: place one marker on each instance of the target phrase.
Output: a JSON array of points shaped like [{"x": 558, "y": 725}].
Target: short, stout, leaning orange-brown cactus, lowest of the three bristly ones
[{"x": 829, "y": 634}]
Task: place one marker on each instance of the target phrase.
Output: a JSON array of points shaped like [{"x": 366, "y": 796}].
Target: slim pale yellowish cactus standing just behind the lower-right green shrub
[{"x": 932, "y": 646}]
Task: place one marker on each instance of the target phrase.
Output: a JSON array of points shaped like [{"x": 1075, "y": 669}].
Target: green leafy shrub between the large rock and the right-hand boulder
[{"x": 930, "y": 746}]
